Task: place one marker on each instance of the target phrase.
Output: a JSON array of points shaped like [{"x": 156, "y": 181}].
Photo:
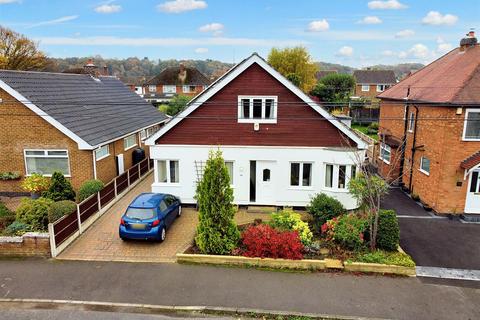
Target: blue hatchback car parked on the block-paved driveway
[{"x": 149, "y": 216}]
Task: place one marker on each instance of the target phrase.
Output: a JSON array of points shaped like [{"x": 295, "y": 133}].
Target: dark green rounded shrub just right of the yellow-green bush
[{"x": 323, "y": 208}]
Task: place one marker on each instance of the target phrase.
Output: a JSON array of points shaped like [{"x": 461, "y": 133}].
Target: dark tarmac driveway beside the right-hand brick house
[{"x": 434, "y": 241}]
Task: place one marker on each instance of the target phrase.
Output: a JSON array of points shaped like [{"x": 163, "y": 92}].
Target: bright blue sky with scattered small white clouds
[{"x": 357, "y": 33}]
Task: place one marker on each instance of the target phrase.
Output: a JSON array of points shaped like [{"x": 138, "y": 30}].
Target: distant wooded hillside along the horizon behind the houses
[{"x": 135, "y": 70}]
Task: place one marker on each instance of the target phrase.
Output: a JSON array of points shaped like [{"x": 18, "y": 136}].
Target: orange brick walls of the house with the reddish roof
[{"x": 439, "y": 133}]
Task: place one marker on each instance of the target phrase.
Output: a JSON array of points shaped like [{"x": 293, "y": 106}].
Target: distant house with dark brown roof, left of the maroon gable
[{"x": 180, "y": 80}]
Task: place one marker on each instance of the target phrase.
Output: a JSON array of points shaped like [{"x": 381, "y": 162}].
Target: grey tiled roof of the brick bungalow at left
[{"x": 96, "y": 110}]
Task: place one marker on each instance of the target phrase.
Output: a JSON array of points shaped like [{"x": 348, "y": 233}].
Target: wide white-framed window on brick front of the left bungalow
[{"x": 46, "y": 162}]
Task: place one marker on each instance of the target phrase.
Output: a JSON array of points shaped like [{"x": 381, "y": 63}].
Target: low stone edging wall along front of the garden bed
[{"x": 304, "y": 264}]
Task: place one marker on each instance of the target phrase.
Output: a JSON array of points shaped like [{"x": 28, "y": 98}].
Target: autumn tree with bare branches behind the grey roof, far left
[{"x": 17, "y": 52}]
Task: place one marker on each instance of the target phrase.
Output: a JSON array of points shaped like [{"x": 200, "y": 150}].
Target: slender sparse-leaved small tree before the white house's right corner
[{"x": 369, "y": 189}]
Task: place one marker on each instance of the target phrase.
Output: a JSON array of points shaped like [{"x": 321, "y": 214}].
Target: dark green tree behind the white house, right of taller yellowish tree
[{"x": 334, "y": 87}]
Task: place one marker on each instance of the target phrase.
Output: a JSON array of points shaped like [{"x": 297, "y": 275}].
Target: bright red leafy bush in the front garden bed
[{"x": 266, "y": 242}]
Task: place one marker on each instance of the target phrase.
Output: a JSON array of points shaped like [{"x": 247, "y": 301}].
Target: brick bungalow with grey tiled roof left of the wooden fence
[{"x": 85, "y": 126}]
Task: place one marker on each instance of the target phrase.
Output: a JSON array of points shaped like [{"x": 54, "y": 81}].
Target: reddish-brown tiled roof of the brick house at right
[{"x": 452, "y": 79}]
